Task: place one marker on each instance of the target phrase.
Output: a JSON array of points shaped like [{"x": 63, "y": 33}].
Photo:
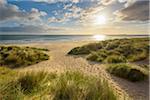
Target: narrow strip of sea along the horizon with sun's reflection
[{"x": 10, "y": 39}]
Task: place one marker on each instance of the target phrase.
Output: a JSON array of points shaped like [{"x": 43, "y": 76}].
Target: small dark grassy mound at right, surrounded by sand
[{"x": 126, "y": 71}]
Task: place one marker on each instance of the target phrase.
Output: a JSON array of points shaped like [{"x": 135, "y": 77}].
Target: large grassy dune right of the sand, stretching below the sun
[{"x": 115, "y": 51}]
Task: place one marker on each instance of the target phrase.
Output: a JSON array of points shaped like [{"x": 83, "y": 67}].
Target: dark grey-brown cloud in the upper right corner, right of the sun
[{"x": 136, "y": 11}]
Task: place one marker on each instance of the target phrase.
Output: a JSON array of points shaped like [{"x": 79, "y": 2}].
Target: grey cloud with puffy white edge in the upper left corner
[{"x": 9, "y": 11}]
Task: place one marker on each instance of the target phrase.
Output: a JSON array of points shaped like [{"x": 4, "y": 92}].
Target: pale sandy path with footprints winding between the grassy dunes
[{"x": 60, "y": 62}]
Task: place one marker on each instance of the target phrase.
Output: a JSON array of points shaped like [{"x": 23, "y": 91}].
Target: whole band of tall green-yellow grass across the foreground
[{"x": 52, "y": 86}]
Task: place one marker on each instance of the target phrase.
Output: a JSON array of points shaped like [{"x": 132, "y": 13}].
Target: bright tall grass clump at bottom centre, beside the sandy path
[{"x": 76, "y": 86}]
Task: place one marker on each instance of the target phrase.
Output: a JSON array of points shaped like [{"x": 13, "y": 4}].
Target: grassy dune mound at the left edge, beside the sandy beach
[{"x": 14, "y": 57}]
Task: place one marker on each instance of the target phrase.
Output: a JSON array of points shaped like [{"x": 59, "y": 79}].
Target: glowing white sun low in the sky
[{"x": 100, "y": 19}]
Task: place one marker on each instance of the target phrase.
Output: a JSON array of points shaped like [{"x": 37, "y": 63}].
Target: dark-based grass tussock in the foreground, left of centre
[{"x": 32, "y": 82}]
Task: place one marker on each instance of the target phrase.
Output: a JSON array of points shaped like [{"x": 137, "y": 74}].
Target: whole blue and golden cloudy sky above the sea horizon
[{"x": 74, "y": 17}]
